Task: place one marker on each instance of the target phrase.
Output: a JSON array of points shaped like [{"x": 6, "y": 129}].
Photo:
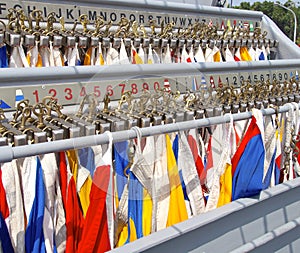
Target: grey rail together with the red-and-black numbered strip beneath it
[{"x": 38, "y": 83}]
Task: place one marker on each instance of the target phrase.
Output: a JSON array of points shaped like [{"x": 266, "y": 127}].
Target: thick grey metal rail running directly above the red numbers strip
[{"x": 12, "y": 77}]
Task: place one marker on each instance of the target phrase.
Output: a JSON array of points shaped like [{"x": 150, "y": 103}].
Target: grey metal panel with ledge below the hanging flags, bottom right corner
[{"x": 262, "y": 225}]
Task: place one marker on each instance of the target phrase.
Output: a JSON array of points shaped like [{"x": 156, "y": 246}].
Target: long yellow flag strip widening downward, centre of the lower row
[{"x": 177, "y": 210}]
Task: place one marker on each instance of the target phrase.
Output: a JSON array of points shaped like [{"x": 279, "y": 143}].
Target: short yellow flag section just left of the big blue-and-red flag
[{"x": 225, "y": 186}]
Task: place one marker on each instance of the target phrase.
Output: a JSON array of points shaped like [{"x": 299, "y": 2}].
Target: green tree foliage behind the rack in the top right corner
[{"x": 283, "y": 18}]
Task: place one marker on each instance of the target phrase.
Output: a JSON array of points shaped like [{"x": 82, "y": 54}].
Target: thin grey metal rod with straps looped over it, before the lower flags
[{"x": 10, "y": 153}]
